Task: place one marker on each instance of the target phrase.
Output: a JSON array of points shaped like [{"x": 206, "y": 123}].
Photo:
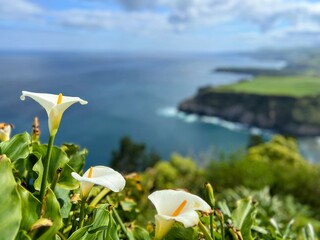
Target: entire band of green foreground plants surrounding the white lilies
[{"x": 269, "y": 192}]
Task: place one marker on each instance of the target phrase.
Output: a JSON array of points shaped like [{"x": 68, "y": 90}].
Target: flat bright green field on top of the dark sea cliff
[{"x": 295, "y": 86}]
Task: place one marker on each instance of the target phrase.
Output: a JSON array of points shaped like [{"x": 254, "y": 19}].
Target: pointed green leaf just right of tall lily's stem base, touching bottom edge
[{"x": 51, "y": 211}]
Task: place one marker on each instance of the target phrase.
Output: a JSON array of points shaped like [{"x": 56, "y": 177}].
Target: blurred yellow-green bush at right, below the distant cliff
[{"x": 276, "y": 164}]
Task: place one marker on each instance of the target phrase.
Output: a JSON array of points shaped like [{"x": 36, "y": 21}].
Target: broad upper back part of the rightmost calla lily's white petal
[{"x": 167, "y": 201}]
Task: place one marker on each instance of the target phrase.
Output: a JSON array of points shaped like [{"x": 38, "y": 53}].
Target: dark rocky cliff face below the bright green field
[{"x": 285, "y": 114}]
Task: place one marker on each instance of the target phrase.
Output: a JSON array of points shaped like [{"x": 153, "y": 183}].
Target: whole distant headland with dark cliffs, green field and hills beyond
[{"x": 286, "y": 100}]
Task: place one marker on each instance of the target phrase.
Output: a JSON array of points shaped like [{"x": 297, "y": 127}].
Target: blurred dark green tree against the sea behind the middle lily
[{"x": 132, "y": 157}]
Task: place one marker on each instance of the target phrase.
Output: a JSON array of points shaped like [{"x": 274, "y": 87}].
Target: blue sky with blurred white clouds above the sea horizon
[{"x": 158, "y": 25}]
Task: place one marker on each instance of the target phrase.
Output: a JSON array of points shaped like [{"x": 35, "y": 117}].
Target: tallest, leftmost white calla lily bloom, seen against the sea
[{"x": 54, "y": 105}]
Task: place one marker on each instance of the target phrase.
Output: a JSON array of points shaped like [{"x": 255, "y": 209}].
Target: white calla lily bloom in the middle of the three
[{"x": 100, "y": 175}]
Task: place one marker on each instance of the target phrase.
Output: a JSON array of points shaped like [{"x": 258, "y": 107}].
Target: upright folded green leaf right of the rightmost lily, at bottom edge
[{"x": 243, "y": 217}]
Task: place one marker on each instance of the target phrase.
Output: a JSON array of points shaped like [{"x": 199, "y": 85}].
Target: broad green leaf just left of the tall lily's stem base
[{"x": 30, "y": 207}]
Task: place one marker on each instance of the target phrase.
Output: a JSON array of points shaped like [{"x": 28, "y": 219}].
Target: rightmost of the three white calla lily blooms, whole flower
[{"x": 176, "y": 205}]
